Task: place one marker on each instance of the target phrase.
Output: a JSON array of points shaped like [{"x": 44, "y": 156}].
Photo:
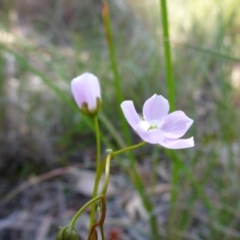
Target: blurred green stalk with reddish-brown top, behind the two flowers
[{"x": 136, "y": 178}]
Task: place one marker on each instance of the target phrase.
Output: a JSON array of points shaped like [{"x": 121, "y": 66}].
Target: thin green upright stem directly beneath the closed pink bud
[{"x": 98, "y": 163}]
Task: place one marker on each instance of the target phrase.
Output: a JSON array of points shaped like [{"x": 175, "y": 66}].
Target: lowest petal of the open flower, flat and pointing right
[{"x": 177, "y": 143}]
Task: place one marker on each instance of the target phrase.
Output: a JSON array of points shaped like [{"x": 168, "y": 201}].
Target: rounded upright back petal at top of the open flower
[{"x": 155, "y": 108}]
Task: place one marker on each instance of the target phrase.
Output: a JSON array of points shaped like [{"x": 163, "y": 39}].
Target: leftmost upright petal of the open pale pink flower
[{"x": 130, "y": 113}]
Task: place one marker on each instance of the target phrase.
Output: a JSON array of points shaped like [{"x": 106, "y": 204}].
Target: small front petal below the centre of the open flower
[{"x": 152, "y": 136}]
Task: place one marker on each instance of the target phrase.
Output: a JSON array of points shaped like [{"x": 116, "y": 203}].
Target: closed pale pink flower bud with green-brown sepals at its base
[{"x": 87, "y": 94}]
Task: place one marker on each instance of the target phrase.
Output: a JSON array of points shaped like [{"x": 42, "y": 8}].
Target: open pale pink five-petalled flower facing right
[{"x": 157, "y": 126}]
